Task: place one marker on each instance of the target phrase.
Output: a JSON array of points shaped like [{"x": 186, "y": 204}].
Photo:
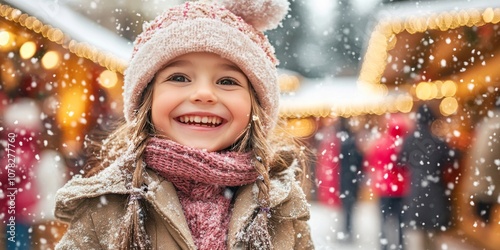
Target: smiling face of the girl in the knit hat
[{"x": 201, "y": 100}]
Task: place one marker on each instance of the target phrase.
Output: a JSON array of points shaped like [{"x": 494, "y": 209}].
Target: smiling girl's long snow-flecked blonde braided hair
[{"x": 272, "y": 155}]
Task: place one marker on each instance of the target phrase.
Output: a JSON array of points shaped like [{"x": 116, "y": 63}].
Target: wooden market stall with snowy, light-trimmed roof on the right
[{"x": 447, "y": 55}]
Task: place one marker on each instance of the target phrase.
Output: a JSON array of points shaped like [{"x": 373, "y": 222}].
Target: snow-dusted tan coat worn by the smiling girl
[{"x": 95, "y": 207}]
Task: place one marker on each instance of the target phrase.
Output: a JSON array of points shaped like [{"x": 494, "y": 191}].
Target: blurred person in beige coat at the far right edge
[{"x": 481, "y": 214}]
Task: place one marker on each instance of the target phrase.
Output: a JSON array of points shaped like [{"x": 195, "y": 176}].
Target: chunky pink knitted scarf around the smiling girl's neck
[{"x": 201, "y": 179}]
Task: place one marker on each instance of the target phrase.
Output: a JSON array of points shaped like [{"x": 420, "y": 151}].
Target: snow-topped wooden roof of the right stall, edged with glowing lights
[{"x": 438, "y": 50}]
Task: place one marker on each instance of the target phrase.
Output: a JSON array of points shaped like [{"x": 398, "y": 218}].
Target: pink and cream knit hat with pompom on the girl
[{"x": 232, "y": 29}]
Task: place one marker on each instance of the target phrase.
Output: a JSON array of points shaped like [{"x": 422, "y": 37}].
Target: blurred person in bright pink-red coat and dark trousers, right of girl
[{"x": 390, "y": 181}]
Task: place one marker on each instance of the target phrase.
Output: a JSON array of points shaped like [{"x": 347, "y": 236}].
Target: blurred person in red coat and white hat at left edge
[{"x": 20, "y": 156}]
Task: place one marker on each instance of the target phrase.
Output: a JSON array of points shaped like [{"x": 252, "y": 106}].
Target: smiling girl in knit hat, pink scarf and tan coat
[{"x": 197, "y": 163}]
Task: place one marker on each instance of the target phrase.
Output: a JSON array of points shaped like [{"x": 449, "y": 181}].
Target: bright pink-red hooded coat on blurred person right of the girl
[{"x": 389, "y": 178}]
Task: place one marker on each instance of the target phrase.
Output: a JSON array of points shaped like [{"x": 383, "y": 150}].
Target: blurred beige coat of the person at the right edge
[{"x": 483, "y": 183}]
